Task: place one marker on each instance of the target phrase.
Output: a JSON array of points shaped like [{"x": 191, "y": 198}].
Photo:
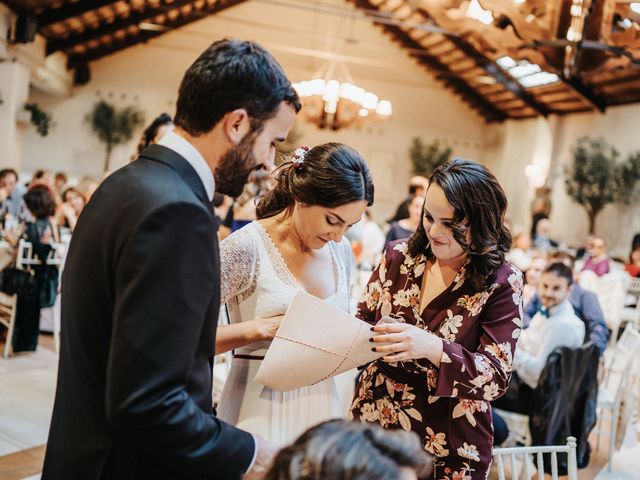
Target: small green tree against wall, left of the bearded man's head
[{"x": 114, "y": 126}]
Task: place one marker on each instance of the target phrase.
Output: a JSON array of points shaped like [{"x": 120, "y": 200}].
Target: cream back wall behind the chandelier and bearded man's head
[{"x": 148, "y": 75}]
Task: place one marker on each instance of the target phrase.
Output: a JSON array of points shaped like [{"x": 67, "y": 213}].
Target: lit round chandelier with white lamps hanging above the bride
[{"x": 332, "y": 100}]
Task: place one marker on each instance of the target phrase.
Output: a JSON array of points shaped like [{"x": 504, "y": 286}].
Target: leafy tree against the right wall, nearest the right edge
[{"x": 598, "y": 177}]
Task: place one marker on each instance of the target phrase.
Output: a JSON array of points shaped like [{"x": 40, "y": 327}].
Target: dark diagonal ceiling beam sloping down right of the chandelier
[{"x": 433, "y": 64}]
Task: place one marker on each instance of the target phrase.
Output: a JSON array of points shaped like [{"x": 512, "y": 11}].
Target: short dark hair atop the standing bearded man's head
[{"x": 229, "y": 75}]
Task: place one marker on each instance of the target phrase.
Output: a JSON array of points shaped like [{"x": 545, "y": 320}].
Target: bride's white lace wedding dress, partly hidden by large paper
[{"x": 256, "y": 283}]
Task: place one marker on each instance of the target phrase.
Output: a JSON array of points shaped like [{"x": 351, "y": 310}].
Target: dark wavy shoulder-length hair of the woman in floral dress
[{"x": 480, "y": 207}]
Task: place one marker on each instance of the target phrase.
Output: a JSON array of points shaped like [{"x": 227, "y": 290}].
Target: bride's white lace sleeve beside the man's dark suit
[{"x": 238, "y": 265}]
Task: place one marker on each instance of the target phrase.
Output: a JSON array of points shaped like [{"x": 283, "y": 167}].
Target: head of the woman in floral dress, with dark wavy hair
[{"x": 463, "y": 217}]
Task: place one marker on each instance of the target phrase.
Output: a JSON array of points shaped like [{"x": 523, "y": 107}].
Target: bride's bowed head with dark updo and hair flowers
[{"x": 322, "y": 192}]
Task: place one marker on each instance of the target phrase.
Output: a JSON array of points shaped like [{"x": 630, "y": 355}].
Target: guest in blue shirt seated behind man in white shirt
[{"x": 585, "y": 305}]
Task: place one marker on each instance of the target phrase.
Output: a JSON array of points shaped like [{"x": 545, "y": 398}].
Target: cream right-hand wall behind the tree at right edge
[{"x": 518, "y": 143}]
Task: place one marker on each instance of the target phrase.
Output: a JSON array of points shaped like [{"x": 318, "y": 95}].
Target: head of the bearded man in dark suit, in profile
[{"x": 235, "y": 104}]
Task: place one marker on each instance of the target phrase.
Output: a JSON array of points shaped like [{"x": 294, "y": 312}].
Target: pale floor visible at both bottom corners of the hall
[{"x": 28, "y": 387}]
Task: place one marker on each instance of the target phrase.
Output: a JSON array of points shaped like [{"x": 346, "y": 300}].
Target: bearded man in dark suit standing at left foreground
[{"x": 141, "y": 287}]
